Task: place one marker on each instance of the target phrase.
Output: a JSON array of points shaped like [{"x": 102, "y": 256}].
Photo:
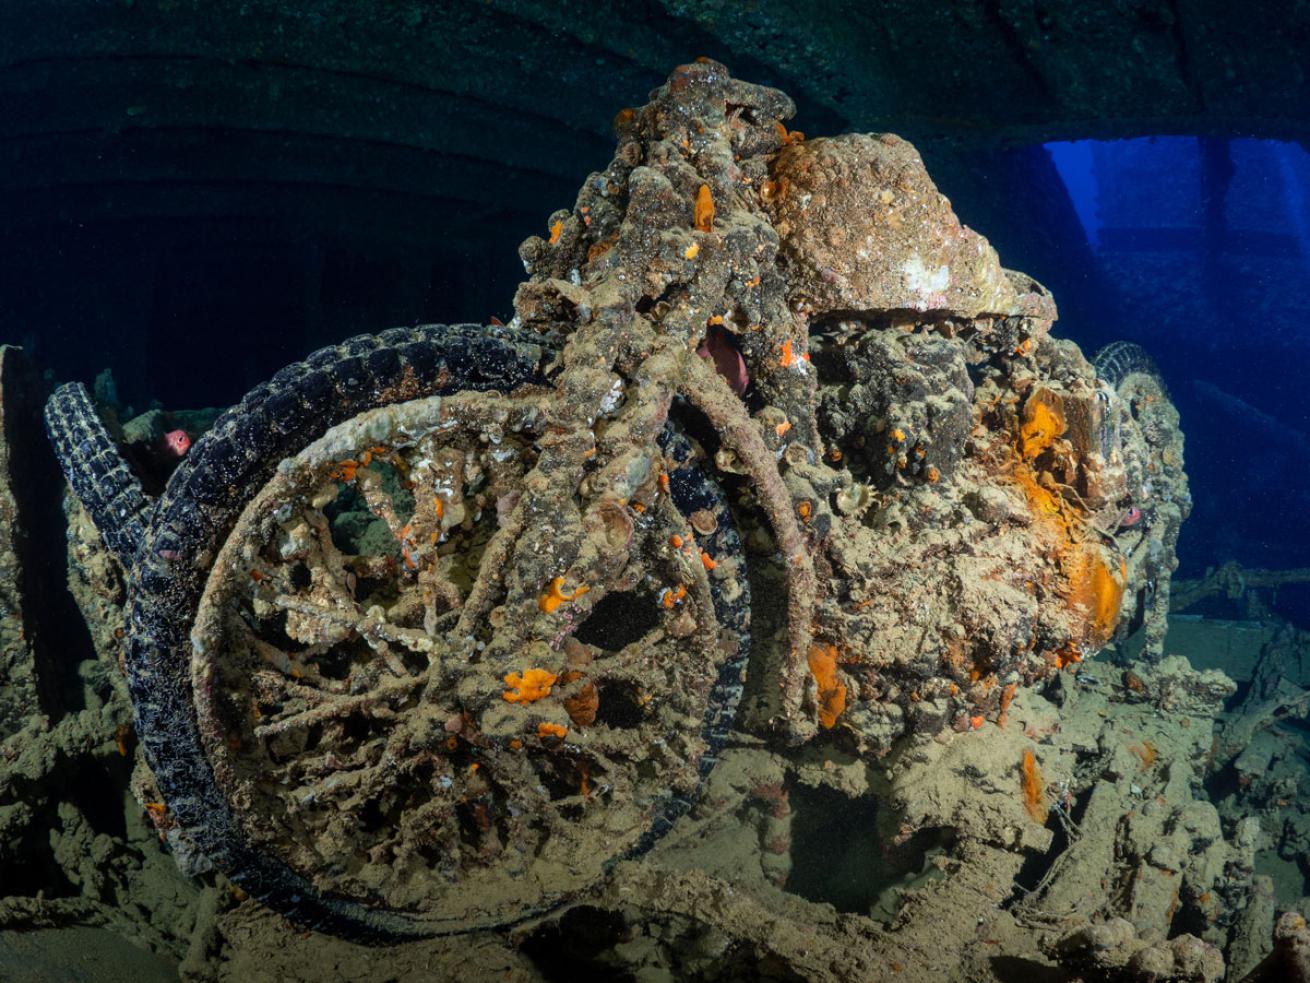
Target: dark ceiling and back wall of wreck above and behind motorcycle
[{"x": 375, "y": 162}]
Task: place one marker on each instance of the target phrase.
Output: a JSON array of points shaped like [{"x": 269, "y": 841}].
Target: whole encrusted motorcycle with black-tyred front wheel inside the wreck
[{"x": 436, "y": 627}]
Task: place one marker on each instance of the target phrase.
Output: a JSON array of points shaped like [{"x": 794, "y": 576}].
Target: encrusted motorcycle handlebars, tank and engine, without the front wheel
[{"x": 961, "y": 505}]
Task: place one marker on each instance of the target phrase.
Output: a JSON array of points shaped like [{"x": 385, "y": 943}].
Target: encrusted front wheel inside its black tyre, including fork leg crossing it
[{"x": 412, "y": 703}]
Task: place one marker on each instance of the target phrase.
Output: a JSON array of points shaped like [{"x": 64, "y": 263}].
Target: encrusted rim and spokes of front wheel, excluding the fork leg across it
[{"x": 378, "y": 756}]
